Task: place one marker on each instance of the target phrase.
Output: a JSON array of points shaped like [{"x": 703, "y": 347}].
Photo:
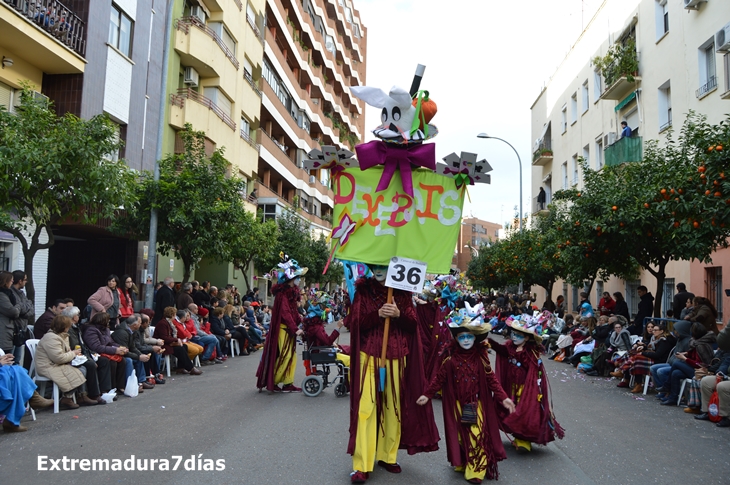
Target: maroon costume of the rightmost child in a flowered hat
[{"x": 533, "y": 419}]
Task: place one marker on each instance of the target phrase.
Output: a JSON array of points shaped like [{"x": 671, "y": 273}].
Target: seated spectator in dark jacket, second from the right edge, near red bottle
[{"x": 700, "y": 353}]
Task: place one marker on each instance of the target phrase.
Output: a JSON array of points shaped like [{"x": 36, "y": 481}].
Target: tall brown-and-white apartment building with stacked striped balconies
[{"x": 314, "y": 51}]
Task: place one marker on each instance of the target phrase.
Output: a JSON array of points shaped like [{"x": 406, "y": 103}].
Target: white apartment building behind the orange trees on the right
[{"x": 683, "y": 53}]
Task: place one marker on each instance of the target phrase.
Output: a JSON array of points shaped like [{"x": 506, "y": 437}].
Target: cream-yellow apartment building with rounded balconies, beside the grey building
[{"x": 214, "y": 83}]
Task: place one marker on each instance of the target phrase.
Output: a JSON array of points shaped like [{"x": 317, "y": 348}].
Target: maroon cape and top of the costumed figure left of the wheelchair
[{"x": 284, "y": 313}]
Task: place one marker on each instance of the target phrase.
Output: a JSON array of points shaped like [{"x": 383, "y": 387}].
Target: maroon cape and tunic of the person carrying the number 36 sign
[{"x": 418, "y": 428}]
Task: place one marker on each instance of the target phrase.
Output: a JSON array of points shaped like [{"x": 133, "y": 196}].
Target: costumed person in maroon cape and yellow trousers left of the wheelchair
[{"x": 279, "y": 359}]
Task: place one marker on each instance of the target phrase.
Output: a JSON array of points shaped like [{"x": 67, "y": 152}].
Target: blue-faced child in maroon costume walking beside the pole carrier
[{"x": 466, "y": 381}]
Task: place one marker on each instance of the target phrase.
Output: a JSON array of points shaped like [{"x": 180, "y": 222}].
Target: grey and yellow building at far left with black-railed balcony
[{"x": 88, "y": 58}]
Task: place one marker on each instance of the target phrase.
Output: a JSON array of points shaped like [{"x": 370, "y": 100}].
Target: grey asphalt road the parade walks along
[{"x": 611, "y": 438}]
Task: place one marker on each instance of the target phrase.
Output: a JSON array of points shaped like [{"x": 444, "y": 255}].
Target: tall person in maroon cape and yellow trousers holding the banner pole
[{"x": 383, "y": 422}]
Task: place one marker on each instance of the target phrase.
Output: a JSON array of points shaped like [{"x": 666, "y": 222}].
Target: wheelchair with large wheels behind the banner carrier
[{"x": 319, "y": 363}]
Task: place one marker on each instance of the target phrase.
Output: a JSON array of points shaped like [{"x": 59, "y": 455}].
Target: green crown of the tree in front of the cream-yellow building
[{"x": 199, "y": 205}]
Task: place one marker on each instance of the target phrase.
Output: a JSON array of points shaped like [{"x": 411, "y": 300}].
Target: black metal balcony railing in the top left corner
[{"x": 56, "y": 19}]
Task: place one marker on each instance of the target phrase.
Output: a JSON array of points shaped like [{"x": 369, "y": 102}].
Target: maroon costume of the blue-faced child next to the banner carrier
[{"x": 466, "y": 376}]
